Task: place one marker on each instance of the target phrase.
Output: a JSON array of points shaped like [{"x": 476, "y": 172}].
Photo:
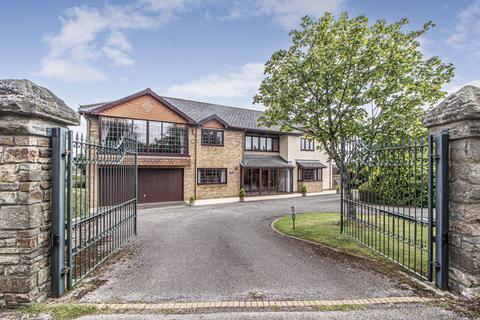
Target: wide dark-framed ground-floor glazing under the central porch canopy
[{"x": 267, "y": 180}]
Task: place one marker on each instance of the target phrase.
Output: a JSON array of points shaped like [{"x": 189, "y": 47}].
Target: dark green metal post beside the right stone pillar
[{"x": 441, "y": 223}]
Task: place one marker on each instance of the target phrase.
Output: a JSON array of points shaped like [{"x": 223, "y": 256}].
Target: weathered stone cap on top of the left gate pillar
[{"x": 24, "y": 97}]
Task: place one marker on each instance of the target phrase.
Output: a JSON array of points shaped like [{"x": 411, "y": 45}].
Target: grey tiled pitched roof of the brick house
[{"x": 196, "y": 111}]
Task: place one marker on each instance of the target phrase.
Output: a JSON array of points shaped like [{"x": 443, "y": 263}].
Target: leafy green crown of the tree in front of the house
[{"x": 344, "y": 79}]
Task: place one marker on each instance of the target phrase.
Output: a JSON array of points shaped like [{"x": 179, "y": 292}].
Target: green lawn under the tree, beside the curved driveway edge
[{"x": 324, "y": 228}]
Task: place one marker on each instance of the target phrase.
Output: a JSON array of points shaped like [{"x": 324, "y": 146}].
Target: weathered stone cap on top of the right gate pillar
[{"x": 459, "y": 106}]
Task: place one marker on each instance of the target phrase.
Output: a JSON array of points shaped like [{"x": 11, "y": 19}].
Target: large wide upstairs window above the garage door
[{"x": 152, "y": 136}]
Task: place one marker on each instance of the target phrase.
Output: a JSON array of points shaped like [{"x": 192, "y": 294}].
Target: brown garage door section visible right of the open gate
[{"x": 160, "y": 185}]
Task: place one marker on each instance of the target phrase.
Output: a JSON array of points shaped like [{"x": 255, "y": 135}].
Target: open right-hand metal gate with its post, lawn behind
[{"x": 394, "y": 199}]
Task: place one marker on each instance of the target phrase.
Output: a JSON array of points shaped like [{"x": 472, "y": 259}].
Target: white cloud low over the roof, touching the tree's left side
[{"x": 239, "y": 83}]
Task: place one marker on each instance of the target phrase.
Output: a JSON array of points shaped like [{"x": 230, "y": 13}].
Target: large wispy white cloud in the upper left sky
[{"x": 88, "y": 35}]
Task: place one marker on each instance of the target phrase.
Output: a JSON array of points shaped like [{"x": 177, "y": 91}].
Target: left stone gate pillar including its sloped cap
[{"x": 26, "y": 111}]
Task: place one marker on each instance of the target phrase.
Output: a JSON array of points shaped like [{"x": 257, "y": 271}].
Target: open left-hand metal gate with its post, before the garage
[{"x": 94, "y": 203}]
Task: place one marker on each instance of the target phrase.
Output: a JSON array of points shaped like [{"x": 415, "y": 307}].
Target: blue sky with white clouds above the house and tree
[{"x": 206, "y": 50}]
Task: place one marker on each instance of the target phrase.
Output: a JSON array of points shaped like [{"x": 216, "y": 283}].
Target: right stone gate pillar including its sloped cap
[{"x": 460, "y": 114}]
